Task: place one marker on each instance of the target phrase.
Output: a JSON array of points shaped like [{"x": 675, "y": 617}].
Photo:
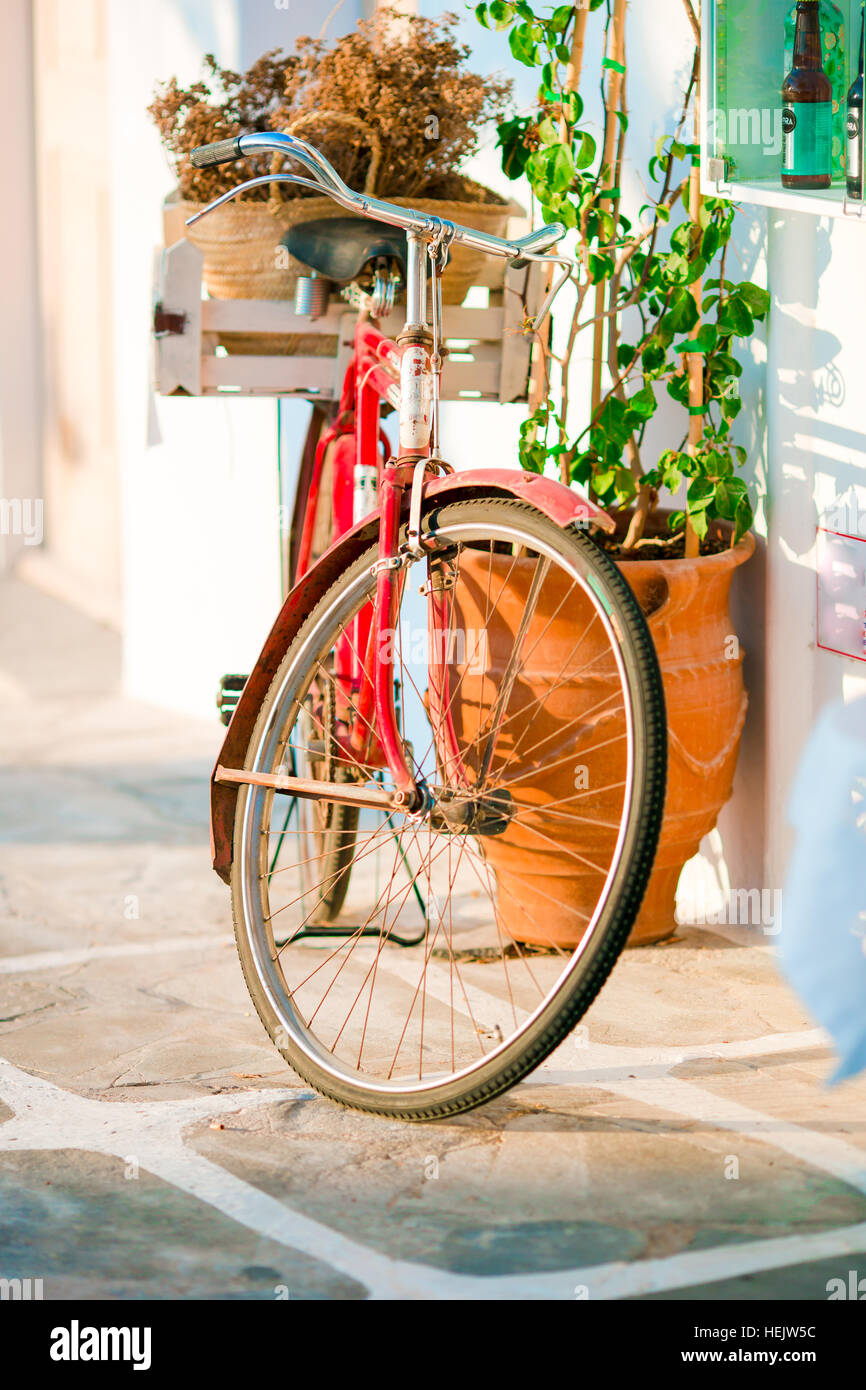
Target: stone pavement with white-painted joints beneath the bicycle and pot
[{"x": 152, "y": 1145}]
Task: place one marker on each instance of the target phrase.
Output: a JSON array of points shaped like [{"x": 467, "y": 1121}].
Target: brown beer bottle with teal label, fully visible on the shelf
[{"x": 807, "y": 102}]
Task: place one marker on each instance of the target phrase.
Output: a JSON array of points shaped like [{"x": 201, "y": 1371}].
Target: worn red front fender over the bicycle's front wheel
[{"x": 558, "y": 502}]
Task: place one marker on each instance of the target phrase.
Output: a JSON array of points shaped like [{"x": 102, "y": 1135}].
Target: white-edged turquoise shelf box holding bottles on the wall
[{"x": 744, "y": 65}]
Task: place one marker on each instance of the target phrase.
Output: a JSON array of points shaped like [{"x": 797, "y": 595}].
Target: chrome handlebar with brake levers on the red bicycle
[{"x": 326, "y": 180}]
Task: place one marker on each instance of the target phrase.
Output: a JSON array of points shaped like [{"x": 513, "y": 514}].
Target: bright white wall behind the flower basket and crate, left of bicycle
[{"x": 199, "y": 477}]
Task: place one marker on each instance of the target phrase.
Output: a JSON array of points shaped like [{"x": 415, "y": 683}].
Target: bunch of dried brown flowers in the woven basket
[{"x": 404, "y": 79}]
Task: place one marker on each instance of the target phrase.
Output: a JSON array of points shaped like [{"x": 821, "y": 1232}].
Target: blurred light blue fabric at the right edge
[{"x": 822, "y": 946}]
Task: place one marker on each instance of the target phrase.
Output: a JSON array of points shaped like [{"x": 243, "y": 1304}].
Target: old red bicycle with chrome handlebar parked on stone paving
[{"x": 426, "y": 894}]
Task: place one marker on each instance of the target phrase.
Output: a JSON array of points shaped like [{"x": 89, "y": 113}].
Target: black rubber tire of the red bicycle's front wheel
[{"x": 589, "y": 974}]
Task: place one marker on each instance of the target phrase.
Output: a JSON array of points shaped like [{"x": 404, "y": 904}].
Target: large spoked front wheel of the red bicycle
[{"x": 475, "y": 935}]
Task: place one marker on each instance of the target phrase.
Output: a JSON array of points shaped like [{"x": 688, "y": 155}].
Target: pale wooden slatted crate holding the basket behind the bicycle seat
[{"x": 489, "y": 354}]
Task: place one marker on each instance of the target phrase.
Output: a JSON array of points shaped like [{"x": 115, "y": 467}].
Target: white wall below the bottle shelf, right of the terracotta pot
[{"x": 817, "y": 451}]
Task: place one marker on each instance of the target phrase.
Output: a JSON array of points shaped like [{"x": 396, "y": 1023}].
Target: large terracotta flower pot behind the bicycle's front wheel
[{"x": 546, "y": 894}]
